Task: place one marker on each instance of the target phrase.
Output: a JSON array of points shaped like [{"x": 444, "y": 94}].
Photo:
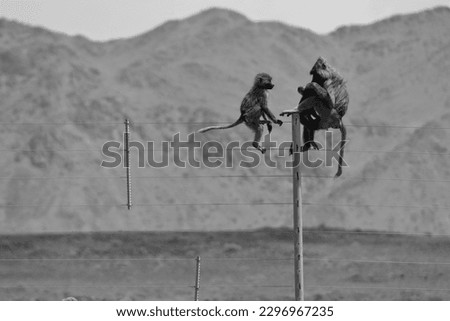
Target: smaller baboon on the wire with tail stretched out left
[{"x": 253, "y": 107}]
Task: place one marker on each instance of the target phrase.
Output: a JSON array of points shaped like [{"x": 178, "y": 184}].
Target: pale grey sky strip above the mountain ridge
[{"x": 103, "y": 20}]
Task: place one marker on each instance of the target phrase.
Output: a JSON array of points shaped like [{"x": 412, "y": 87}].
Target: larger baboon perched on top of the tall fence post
[{"x": 323, "y": 104}]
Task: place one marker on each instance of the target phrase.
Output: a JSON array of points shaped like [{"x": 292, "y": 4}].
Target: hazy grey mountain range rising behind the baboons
[{"x": 62, "y": 98}]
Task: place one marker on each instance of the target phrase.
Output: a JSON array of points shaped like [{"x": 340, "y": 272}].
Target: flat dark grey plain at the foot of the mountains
[{"x": 254, "y": 265}]
